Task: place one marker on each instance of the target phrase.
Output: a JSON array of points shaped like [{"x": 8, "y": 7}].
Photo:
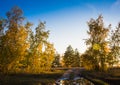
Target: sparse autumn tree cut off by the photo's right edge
[{"x": 114, "y": 55}]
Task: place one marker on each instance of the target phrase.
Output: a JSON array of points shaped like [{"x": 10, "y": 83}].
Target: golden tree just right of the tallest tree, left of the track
[{"x": 41, "y": 52}]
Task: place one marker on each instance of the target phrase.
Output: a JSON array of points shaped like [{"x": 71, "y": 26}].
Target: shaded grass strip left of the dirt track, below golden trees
[{"x": 46, "y": 78}]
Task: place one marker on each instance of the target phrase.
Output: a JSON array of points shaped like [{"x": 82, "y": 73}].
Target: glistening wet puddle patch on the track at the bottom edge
[{"x": 75, "y": 81}]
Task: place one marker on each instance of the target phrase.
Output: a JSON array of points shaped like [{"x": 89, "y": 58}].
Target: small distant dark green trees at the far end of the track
[{"x": 71, "y": 58}]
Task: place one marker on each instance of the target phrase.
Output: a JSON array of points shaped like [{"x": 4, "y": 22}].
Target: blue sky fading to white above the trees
[{"x": 66, "y": 19}]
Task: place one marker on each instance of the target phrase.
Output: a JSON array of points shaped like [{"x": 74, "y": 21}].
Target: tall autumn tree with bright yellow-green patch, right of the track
[{"x": 98, "y": 45}]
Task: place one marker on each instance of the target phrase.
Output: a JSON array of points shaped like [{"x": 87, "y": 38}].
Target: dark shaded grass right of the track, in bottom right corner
[{"x": 112, "y": 76}]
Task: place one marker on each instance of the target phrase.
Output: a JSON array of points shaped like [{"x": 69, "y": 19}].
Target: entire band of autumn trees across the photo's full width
[{"x": 24, "y": 50}]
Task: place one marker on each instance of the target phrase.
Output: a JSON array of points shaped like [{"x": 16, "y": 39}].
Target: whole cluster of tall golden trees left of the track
[{"x": 21, "y": 49}]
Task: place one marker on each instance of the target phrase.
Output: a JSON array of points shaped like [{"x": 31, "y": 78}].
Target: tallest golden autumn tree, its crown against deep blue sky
[{"x": 14, "y": 40}]
